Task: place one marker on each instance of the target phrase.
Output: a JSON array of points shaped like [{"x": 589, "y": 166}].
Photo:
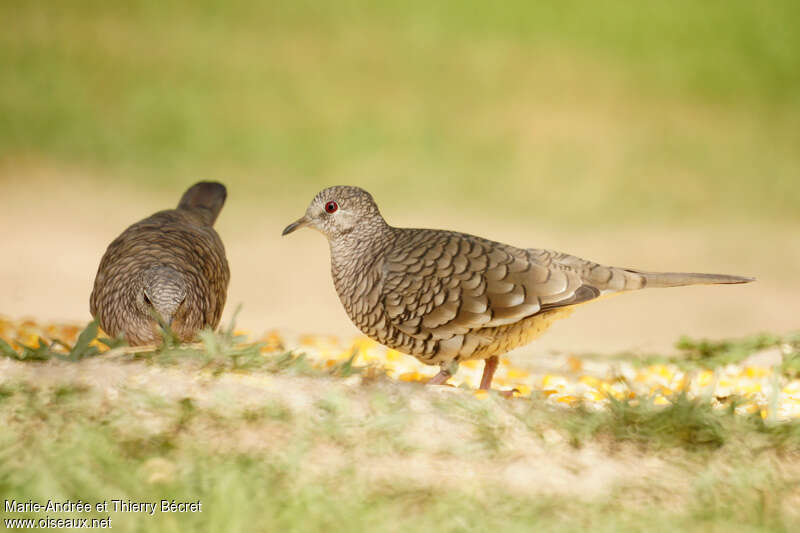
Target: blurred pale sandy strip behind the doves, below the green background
[{"x": 55, "y": 231}]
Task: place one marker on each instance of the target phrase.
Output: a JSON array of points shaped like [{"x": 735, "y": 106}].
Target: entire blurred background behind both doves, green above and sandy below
[{"x": 656, "y": 135}]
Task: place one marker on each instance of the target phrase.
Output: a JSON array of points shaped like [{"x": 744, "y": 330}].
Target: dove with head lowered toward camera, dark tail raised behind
[{"x": 170, "y": 267}]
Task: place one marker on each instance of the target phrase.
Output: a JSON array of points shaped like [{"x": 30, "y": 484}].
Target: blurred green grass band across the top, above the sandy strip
[{"x": 616, "y": 111}]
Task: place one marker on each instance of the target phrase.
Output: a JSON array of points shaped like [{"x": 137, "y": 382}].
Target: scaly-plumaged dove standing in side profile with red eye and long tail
[{"x": 443, "y": 296}]
